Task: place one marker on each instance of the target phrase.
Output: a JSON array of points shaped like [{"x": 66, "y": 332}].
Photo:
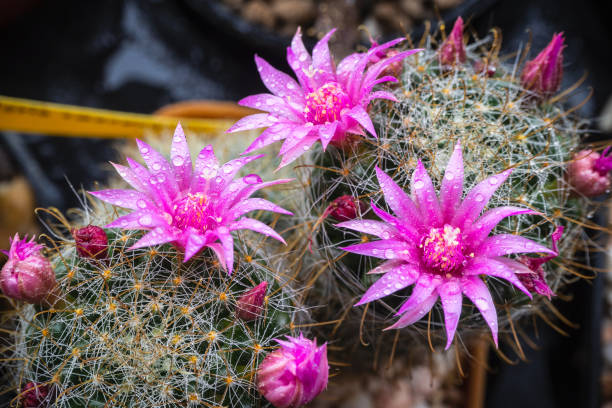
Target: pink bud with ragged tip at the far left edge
[{"x": 27, "y": 275}]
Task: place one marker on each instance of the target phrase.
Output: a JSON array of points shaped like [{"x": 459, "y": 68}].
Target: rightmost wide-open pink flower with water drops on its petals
[{"x": 441, "y": 245}]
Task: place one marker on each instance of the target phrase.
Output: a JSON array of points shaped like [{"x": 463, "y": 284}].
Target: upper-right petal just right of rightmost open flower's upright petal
[{"x": 478, "y": 198}]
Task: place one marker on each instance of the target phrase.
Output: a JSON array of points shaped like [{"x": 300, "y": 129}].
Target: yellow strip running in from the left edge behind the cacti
[{"x": 22, "y": 115}]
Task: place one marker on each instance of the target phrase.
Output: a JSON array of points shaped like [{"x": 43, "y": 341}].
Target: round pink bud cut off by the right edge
[{"x": 588, "y": 173}]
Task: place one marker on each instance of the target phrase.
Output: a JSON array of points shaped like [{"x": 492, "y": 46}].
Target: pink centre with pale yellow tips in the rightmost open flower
[{"x": 443, "y": 250}]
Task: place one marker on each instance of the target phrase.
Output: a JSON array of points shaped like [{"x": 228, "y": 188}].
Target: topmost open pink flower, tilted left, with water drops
[{"x": 327, "y": 104}]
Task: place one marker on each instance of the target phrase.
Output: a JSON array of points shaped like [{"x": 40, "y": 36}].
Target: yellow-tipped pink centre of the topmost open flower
[{"x": 326, "y": 103}]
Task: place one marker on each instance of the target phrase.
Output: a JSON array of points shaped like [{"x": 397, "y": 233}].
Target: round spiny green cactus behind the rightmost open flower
[{"x": 500, "y": 126}]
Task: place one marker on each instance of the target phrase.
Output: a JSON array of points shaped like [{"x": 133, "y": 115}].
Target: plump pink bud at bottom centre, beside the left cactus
[{"x": 293, "y": 375}]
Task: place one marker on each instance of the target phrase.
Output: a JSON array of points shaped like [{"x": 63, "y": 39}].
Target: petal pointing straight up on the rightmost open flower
[{"x": 452, "y": 185}]
